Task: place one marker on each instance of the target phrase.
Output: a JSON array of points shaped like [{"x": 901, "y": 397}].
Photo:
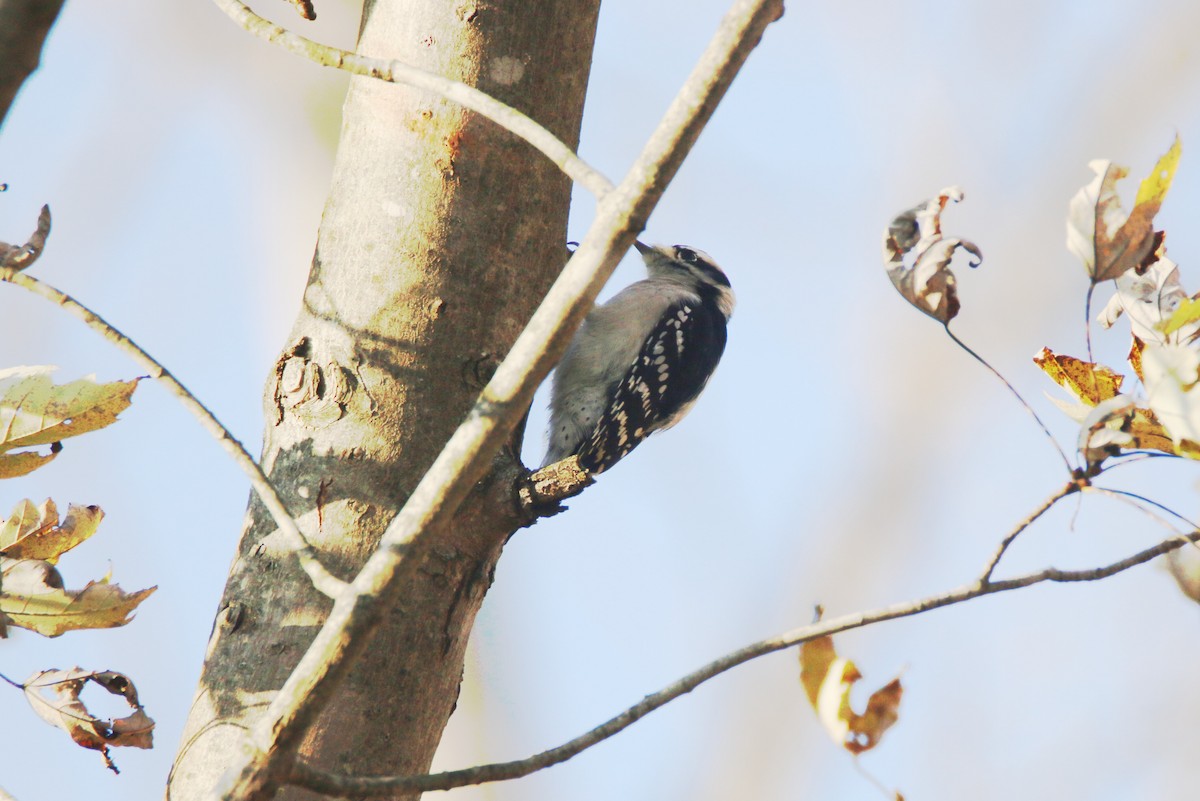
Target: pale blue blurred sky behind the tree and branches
[{"x": 847, "y": 454}]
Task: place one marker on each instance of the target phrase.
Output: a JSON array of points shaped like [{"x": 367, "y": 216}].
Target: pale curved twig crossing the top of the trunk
[{"x": 399, "y": 73}]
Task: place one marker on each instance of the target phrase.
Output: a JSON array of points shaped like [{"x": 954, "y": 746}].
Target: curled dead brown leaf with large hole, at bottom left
[{"x": 55, "y": 696}]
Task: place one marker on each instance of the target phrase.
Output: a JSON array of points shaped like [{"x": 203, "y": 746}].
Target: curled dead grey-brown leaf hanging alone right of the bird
[{"x": 917, "y": 257}]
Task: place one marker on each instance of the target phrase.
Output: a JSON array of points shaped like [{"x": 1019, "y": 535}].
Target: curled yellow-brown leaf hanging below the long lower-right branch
[{"x": 827, "y": 680}]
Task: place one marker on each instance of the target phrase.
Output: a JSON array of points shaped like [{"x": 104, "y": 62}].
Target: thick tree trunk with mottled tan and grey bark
[{"x": 440, "y": 238}]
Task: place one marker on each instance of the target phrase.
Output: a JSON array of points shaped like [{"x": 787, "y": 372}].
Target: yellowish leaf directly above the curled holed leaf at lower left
[{"x": 32, "y": 597}]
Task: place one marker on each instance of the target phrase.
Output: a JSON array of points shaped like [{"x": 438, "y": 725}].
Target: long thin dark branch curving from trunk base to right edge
[{"x": 379, "y": 786}]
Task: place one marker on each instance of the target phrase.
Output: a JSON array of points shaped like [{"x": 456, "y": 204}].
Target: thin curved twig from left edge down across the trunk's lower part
[{"x": 326, "y": 582}]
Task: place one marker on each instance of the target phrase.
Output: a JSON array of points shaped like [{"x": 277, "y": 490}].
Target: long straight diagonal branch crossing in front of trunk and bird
[{"x": 620, "y": 216}]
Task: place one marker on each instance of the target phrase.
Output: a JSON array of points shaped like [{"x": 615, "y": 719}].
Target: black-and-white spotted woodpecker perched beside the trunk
[{"x": 639, "y": 363}]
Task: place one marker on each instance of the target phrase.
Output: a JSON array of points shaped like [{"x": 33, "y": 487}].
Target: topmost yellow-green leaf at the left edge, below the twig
[{"x": 37, "y": 412}]
